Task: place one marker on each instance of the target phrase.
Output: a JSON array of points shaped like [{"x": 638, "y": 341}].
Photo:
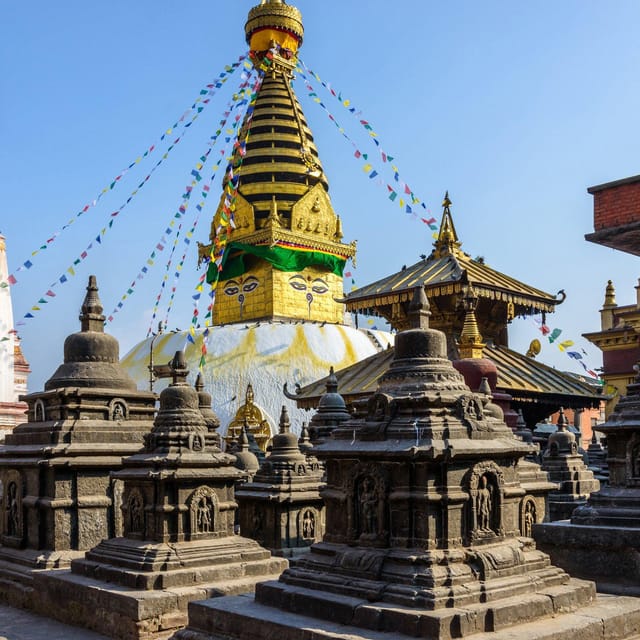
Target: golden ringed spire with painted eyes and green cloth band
[{"x": 286, "y": 256}]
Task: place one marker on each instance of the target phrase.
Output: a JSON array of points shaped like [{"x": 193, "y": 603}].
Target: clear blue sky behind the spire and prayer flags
[{"x": 515, "y": 108}]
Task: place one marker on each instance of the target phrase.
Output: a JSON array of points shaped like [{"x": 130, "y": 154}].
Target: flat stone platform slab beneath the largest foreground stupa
[{"x": 543, "y": 616}]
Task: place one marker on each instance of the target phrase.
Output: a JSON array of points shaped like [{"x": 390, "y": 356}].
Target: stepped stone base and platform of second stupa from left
[{"x": 129, "y": 603}]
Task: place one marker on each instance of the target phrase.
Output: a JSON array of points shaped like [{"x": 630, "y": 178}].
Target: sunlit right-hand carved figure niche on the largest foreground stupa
[{"x": 486, "y": 513}]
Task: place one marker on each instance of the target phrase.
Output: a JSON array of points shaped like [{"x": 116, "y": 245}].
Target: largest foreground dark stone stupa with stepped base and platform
[{"x": 423, "y": 507}]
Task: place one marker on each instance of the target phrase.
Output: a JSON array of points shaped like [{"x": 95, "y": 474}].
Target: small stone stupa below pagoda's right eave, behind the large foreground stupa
[{"x": 566, "y": 467}]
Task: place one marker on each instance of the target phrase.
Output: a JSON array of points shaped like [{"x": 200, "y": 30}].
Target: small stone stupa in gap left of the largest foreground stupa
[{"x": 282, "y": 508}]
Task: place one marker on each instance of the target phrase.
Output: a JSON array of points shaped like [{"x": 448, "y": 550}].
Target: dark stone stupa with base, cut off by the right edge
[{"x": 602, "y": 540}]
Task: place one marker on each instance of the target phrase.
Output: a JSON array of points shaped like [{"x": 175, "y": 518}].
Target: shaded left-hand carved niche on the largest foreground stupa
[{"x": 367, "y": 515}]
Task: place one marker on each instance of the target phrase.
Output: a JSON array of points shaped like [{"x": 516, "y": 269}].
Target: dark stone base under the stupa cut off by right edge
[{"x": 610, "y": 556}]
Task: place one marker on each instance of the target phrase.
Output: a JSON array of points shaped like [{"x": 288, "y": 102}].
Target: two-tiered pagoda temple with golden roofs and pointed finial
[{"x": 448, "y": 274}]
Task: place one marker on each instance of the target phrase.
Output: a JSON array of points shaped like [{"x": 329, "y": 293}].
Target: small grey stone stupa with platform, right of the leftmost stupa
[{"x": 178, "y": 544}]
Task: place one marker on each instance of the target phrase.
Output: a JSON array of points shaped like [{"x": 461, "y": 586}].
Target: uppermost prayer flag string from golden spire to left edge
[{"x": 196, "y": 108}]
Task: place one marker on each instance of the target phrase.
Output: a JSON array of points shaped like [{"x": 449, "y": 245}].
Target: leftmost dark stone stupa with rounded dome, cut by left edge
[{"x": 59, "y": 497}]
